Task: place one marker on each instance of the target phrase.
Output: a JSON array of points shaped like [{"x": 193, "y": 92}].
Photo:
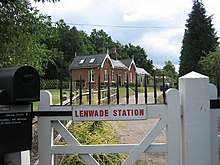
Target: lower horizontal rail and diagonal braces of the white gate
[{"x": 85, "y": 151}]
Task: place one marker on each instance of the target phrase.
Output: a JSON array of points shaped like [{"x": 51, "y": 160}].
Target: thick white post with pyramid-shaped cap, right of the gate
[{"x": 196, "y": 141}]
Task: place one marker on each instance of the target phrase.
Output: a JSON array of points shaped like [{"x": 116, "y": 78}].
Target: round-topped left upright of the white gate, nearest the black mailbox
[{"x": 45, "y": 131}]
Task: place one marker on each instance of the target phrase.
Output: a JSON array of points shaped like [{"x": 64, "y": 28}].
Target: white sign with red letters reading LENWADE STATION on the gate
[{"x": 109, "y": 112}]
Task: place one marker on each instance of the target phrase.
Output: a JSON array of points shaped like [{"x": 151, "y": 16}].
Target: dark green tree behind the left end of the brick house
[{"x": 66, "y": 43}]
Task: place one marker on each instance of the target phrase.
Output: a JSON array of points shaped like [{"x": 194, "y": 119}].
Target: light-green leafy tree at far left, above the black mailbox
[{"x": 22, "y": 31}]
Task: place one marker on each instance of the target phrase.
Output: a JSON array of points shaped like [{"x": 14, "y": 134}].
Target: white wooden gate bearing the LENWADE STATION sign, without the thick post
[{"x": 169, "y": 116}]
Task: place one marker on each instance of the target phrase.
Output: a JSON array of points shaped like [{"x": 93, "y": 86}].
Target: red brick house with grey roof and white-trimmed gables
[{"x": 90, "y": 67}]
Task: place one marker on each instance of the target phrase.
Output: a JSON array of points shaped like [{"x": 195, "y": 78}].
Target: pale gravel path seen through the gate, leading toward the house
[{"x": 133, "y": 132}]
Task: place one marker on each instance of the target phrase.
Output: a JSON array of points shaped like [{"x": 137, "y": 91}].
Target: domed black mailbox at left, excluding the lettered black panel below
[{"x": 19, "y": 85}]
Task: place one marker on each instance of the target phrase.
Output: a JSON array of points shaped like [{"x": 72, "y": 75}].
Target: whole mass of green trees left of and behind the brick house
[{"x": 30, "y": 38}]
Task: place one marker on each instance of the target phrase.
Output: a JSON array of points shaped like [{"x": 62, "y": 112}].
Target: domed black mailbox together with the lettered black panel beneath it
[{"x": 19, "y": 87}]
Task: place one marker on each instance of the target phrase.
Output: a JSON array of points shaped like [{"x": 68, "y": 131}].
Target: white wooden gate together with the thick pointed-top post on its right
[{"x": 191, "y": 134}]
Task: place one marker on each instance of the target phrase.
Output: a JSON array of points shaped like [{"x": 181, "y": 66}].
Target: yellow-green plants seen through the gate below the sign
[{"x": 94, "y": 133}]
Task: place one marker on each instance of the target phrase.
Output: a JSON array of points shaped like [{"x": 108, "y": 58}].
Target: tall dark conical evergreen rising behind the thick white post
[{"x": 199, "y": 39}]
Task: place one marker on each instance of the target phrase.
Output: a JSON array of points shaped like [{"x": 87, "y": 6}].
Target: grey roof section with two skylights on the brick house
[{"x": 91, "y": 61}]
